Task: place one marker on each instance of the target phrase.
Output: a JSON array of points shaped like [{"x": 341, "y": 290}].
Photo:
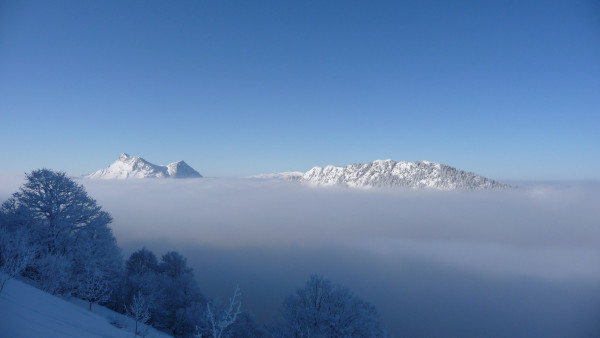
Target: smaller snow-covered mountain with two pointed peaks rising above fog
[{"x": 136, "y": 167}]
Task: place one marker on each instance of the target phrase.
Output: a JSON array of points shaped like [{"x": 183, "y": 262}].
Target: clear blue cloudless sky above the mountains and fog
[{"x": 507, "y": 89}]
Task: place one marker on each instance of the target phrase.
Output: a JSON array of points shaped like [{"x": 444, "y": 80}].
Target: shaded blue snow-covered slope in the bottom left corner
[{"x": 26, "y": 311}]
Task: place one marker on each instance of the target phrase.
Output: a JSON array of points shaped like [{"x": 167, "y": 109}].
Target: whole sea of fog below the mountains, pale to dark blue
[{"x": 522, "y": 262}]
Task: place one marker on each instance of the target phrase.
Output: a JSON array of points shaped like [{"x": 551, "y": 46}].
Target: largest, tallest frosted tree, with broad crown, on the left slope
[{"x": 68, "y": 230}]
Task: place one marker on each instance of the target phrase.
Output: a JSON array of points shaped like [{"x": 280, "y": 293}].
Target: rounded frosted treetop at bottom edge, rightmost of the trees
[{"x": 324, "y": 309}]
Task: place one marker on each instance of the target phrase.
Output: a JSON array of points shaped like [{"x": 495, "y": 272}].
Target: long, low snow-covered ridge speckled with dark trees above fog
[{"x": 388, "y": 173}]
